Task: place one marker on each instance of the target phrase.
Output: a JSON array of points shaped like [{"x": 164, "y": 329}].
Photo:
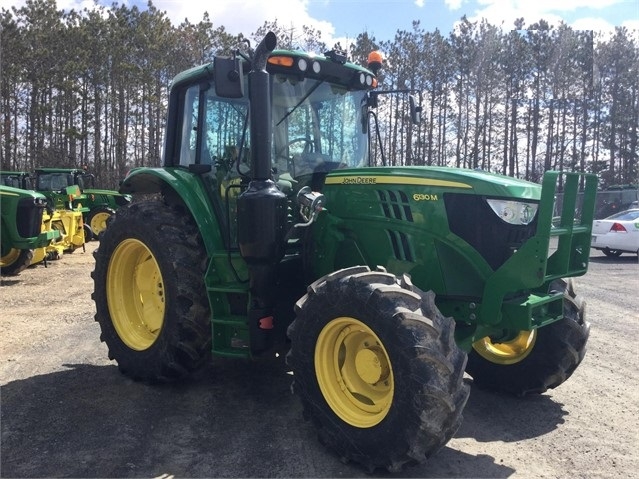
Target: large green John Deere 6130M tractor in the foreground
[{"x": 271, "y": 229}]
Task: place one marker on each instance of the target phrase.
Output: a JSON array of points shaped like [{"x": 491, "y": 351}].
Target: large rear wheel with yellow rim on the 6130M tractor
[{"x": 149, "y": 293}]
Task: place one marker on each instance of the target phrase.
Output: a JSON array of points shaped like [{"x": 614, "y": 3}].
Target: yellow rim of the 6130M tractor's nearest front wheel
[{"x": 354, "y": 372}]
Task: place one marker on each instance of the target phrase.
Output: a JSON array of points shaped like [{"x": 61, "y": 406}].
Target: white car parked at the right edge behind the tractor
[{"x": 617, "y": 234}]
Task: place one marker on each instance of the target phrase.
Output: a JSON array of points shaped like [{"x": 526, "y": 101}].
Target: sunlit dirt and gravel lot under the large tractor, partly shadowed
[{"x": 67, "y": 412}]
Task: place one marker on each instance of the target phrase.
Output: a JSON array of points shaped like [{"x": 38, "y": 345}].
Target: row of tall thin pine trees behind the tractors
[{"x": 89, "y": 88}]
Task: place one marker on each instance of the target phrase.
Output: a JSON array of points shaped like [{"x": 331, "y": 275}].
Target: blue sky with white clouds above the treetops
[{"x": 343, "y": 20}]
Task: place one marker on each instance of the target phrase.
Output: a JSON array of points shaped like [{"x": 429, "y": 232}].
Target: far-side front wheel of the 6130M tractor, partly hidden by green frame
[{"x": 534, "y": 361}]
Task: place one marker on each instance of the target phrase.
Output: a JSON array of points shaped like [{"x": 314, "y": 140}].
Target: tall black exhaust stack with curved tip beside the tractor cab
[{"x": 262, "y": 208}]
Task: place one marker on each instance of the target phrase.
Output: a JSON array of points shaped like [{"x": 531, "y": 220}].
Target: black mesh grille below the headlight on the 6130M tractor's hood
[{"x": 472, "y": 219}]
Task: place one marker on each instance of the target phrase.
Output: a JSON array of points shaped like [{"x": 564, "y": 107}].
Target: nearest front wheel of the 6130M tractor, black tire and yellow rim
[{"x": 377, "y": 369}]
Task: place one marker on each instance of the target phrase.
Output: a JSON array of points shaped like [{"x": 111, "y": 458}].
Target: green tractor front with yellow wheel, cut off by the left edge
[{"x": 21, "y": 230}]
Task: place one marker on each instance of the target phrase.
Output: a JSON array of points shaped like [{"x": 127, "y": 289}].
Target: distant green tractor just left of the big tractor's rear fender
[{"x": 99, "y": 204}]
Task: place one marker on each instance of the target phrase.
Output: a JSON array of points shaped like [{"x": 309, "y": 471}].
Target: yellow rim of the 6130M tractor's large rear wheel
[{"x": 135, "y": 294}]
